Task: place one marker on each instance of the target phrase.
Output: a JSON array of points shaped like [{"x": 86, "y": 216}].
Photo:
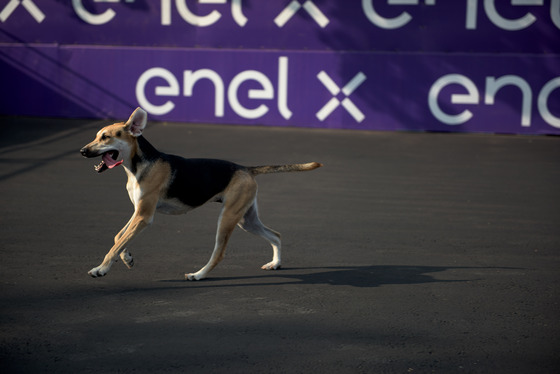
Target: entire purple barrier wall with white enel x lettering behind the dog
[{"x": 469, "y": 65}]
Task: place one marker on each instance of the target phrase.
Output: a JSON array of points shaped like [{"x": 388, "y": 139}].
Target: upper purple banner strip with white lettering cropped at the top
[{"x": 492, "y": 26}]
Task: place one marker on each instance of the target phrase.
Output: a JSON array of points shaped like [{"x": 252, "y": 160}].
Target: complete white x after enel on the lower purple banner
[{"x": 333, "y": 103}]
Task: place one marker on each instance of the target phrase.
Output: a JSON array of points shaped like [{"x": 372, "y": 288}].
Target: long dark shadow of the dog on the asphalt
[{"x": 355, "y": 276}]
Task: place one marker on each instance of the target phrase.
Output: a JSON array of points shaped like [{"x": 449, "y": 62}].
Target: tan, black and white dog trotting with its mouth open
[{"x": 171, "y": 184}]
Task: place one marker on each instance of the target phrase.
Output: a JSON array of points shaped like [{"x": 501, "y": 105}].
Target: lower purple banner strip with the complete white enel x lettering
[{"x": 356, "y": 90}]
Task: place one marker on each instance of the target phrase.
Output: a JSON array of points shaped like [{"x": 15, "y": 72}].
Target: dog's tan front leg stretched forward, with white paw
[{"x": 139, "y": 221}]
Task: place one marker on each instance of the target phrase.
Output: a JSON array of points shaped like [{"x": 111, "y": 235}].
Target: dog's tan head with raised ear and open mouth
[{"x": 116, "y": 141}]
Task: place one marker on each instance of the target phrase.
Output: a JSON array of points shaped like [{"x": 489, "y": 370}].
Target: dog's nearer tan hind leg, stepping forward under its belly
[{"x": 238, "y": 197}]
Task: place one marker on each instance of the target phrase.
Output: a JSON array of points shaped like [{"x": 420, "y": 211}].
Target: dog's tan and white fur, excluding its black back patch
[{"x": 149, "y": 195}]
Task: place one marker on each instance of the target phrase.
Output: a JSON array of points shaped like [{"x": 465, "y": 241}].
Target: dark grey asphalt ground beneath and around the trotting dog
[{"x": 405, "y": 253}]
